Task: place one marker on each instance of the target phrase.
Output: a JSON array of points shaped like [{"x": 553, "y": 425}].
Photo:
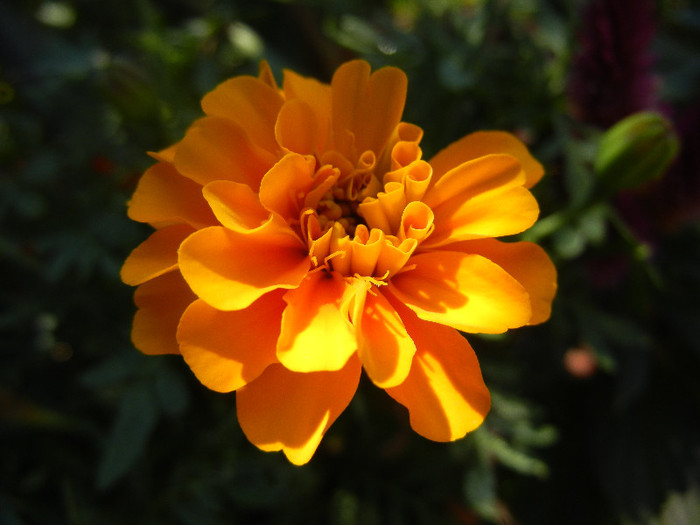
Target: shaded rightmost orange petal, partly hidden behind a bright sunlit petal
[{"x": 527, "y": 262}]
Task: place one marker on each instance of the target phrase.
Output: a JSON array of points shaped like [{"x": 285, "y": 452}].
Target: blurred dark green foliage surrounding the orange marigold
[{"x": 595, "y": 414}]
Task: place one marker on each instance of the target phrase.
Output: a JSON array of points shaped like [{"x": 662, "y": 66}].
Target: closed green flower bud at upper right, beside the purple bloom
[{"x": 637, "y": 149}]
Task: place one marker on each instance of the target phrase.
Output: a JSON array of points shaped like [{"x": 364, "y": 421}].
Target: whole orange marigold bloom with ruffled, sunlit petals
[{"x": 301, "y": 237}]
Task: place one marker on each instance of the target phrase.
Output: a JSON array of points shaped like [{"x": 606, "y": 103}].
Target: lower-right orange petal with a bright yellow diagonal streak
[{"x": 445, "y": 394}]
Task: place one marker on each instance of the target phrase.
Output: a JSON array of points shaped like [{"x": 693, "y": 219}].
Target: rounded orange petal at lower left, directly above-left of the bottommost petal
[{"x": 227, "y": 350}]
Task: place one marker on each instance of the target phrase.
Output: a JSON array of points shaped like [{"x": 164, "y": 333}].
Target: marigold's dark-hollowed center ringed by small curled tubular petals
[{"x": 358, "y": 225}]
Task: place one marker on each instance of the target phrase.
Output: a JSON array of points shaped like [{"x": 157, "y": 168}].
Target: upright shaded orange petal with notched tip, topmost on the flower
[{"x": 368, "y": 107}]
